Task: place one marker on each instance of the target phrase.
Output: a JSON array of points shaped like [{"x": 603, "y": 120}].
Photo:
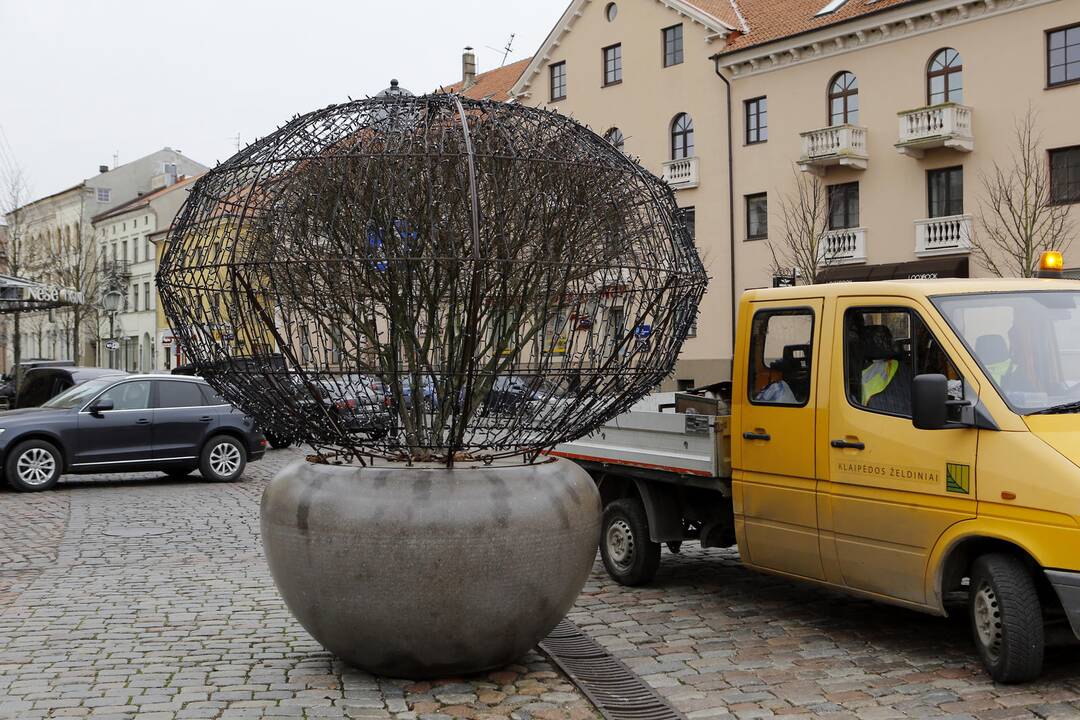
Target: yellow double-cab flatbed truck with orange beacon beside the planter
[{"x": 907, "y": 441}]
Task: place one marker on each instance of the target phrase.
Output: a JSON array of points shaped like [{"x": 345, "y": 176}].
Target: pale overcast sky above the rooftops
[{"x": 84, "y": 80}]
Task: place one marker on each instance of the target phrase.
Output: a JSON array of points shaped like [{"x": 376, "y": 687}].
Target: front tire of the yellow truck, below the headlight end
[{"x": 1006, "y": 618}]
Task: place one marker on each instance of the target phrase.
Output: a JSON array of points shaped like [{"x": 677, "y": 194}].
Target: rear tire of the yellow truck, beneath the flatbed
[{"x": 630, "y": 558}]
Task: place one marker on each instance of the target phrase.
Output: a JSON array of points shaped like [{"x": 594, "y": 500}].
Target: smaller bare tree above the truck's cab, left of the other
[{"x": 805, "y": 216}]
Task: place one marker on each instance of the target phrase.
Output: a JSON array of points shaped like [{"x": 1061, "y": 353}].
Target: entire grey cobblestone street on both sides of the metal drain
[{"x": 140, "y": 596}]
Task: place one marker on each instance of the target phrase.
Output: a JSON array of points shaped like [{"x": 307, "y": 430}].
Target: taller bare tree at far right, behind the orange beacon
[{"x": 1018, "y": 216}]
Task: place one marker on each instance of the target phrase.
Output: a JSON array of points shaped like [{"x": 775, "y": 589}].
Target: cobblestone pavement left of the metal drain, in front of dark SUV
[{"x": 139, "y": 596}]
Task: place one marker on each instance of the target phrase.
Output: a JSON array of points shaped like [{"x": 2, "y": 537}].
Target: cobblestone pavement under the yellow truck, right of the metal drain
[{"x": 721, "y": 642}]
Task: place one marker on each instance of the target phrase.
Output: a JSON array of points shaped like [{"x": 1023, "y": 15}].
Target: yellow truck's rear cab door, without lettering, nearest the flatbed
[{"x": 774, "y": 483}]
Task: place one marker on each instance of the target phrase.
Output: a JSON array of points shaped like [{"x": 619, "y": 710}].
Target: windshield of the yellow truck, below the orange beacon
[{"x": 1028, "y": 344}]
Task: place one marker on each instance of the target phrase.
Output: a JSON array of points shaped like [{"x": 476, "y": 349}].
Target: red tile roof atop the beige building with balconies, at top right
[{"x": 777, "y": 20}]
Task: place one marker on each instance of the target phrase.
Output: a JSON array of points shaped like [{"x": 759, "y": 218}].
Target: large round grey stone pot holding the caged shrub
[{"x": 420, "y": 573}]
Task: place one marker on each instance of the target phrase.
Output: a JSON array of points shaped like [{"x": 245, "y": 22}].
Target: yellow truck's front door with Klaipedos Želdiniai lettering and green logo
[{"x": 892, "y": 491}]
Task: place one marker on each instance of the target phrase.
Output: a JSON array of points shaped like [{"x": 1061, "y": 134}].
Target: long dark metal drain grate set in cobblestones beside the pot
[{"x": 618, "y": 692}]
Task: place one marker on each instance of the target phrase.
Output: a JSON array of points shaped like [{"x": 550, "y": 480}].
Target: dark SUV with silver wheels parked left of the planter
[{"x": 128, "y": 424}]
